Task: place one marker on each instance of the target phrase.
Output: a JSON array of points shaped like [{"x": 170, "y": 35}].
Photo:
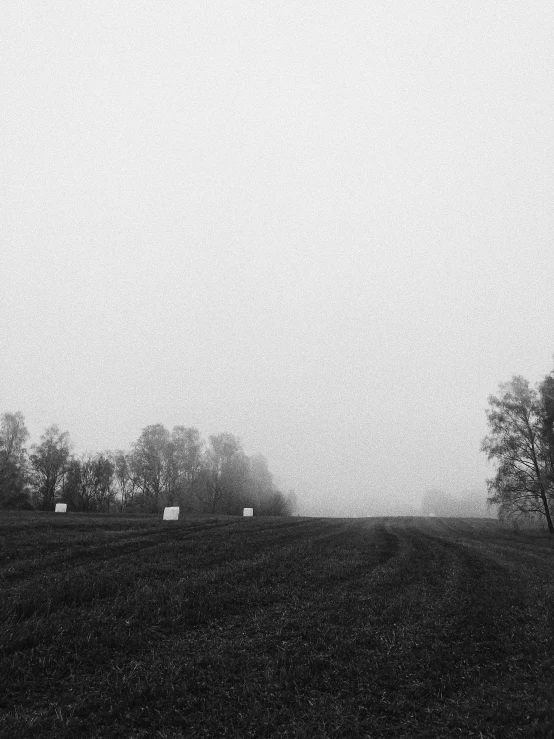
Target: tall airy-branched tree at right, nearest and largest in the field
[{"x": 518, "y": 442}]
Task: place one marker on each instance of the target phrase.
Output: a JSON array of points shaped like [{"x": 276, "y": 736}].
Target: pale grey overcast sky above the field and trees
[{"x": 325, "y": 227}]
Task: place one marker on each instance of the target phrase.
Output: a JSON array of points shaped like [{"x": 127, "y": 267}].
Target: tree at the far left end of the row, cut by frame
[{"x": 13, "y": 461}]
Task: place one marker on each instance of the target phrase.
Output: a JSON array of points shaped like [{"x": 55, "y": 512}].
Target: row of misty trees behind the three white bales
[{"x": 162, "y": 468}]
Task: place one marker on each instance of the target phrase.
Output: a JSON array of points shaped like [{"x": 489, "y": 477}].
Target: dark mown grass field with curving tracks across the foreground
[{"x": 267, "y": 627}]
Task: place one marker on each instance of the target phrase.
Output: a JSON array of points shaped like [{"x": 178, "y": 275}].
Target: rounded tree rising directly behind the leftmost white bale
[{"x": 49, "y": 462}]
